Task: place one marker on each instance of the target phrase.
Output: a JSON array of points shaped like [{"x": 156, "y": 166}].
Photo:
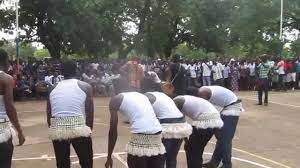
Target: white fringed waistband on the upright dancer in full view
[{"x": 65, "y": 128}]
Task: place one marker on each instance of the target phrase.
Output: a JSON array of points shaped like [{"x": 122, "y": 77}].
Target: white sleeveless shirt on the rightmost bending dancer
[{"x": 221, "y": 96}]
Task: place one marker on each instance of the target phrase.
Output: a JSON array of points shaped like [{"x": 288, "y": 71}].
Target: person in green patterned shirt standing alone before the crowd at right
[{"x": 263, "y": 83}]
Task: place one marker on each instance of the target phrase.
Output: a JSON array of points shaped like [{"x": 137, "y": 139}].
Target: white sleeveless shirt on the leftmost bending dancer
[{"x": 138, "y": 109}]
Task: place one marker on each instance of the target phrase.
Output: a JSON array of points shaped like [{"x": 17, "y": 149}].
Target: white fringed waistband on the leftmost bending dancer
[{"x": 145, "y": 145}]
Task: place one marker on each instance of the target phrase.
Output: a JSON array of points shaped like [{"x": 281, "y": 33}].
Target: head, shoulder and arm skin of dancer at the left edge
[{"x": 6, "y": 89}]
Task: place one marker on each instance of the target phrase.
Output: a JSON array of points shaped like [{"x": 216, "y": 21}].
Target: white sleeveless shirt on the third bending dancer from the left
[{"x": 193, "y": 107}]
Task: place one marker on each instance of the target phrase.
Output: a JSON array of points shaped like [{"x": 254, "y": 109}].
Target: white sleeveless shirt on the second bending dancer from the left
[{"x": 164, "y": 107}]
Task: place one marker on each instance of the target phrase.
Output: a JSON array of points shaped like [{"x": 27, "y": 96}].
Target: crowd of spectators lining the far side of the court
[{"x": 34, "y": 78}]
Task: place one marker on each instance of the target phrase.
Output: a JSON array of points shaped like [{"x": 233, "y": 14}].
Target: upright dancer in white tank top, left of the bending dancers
[{"x": 68, "y": 123}]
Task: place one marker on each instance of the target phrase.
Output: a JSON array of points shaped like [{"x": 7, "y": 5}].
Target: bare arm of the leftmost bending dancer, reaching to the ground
[{"x": 114, "y": 106}]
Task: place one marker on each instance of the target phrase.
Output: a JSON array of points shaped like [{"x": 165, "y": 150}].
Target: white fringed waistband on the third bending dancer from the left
[{"x": 208, "y": 120}]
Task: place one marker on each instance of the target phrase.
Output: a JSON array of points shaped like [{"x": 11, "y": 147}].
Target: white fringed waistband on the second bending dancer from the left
[{"x": 176, "y": 130}]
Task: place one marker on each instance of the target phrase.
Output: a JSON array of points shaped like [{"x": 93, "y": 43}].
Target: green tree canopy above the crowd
[{"x": 99, "y": 28}]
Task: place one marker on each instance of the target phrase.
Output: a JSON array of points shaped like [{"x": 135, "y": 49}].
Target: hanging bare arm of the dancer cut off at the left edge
[{"x": 11, "y": 110}]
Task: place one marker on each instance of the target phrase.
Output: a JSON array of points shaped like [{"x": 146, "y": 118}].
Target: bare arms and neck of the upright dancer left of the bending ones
[{"x": 89, "y": 104}]
